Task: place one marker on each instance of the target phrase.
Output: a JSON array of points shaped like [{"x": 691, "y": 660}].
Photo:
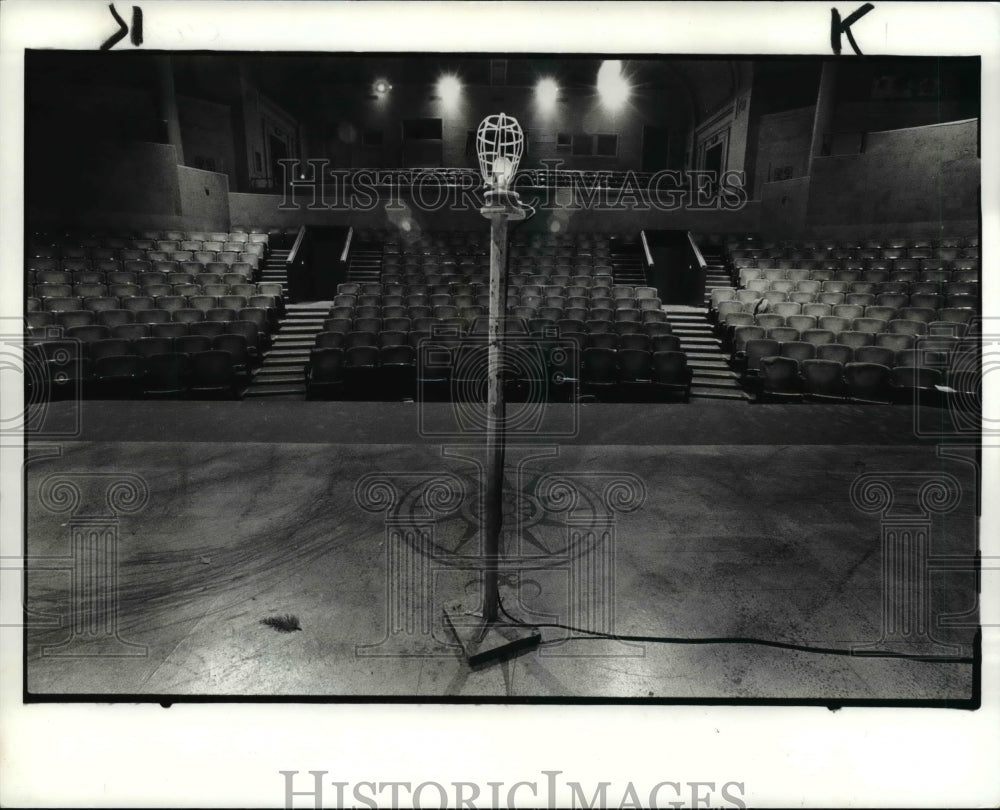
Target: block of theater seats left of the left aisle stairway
[{"x": 155, "y": 314}]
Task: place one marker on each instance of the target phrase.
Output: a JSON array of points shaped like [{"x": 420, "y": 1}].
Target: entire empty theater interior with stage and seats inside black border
[{"x": 736, "y": 314}]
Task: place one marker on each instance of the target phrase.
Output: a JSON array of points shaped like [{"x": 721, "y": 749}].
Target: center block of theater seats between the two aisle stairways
[{"x": 420, "y": 331}]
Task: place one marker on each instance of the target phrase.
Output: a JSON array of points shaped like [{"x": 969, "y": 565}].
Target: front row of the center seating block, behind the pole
[{"x": 455, "y": 370}]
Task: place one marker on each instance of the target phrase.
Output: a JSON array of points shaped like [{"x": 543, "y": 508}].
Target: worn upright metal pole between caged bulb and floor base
[{"x": 495, "y": 414}]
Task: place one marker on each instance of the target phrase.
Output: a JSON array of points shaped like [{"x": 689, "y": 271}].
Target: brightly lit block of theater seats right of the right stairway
[{"x": 880, "y": 319}]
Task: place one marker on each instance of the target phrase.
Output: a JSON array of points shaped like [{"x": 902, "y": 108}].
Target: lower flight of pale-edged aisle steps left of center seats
[{"x": 282, "y": 374}]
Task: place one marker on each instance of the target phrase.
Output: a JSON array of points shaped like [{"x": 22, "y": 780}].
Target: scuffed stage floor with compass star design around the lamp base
[{"x": 161, "y": 535}]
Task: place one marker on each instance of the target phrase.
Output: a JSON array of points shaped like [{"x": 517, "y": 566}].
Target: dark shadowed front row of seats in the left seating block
[{"x": 195, "y": 366}]
